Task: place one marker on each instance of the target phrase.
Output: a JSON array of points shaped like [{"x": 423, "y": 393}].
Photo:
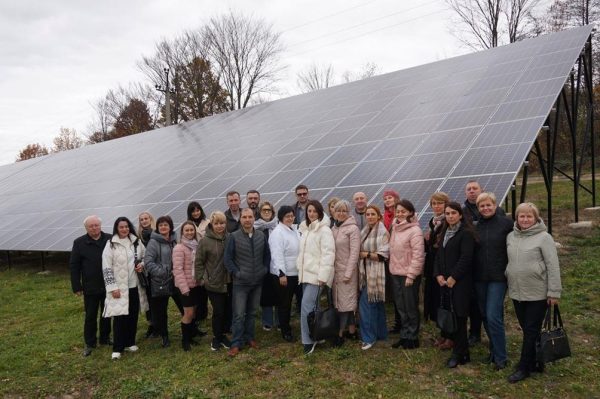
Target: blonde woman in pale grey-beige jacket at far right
[{"x": 533, "y": 275}]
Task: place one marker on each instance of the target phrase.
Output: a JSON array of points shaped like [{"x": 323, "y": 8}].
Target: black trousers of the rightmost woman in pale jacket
[{"x": 531, "y": 316}]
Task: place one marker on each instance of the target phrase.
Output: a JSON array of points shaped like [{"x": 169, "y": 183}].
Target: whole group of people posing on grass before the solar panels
[{"x": 256, "y": 257}]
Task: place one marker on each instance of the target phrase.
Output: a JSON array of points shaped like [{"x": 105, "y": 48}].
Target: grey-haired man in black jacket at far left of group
[{"x": 87, "y": 280}]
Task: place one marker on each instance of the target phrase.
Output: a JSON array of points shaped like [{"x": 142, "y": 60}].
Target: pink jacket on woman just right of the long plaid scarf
[{"x": 407, "y": 250}]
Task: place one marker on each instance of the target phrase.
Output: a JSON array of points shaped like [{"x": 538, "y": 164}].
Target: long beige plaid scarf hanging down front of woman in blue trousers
[{"x": 372, "y": 272}]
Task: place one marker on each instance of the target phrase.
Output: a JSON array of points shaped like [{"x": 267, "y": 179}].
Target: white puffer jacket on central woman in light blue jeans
[{"x": 317, "y": 253}]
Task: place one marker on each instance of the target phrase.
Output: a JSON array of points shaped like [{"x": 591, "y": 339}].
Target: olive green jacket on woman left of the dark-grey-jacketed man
[{"x": 209, "y": 266}]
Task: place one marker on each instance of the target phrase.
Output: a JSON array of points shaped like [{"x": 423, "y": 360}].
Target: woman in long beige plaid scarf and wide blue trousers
[{"x": 374, "y": 250}]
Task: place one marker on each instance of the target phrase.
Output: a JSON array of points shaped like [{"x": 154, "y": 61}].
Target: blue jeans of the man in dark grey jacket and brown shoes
[{"x": 246, "y": 300}]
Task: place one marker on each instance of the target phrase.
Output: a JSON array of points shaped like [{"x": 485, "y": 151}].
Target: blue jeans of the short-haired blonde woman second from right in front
[{"x": 490, "y": 297}]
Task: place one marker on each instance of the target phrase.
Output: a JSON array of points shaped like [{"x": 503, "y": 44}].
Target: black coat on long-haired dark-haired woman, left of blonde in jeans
[{"x": 455, "y": 260}]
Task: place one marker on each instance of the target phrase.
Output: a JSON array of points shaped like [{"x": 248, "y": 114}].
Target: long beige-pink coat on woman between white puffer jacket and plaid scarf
[{"x": 345, "y": 279}]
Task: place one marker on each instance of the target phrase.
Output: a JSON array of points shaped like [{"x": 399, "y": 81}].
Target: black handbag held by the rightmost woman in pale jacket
[{"x": 553, "y": 343}]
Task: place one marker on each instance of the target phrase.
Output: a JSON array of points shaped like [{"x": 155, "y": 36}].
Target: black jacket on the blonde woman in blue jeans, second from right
[{"x": 490, "y": 256}]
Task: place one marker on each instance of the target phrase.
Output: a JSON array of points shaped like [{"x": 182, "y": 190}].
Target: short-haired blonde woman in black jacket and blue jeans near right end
[{"x": 490, "y": 282}]
